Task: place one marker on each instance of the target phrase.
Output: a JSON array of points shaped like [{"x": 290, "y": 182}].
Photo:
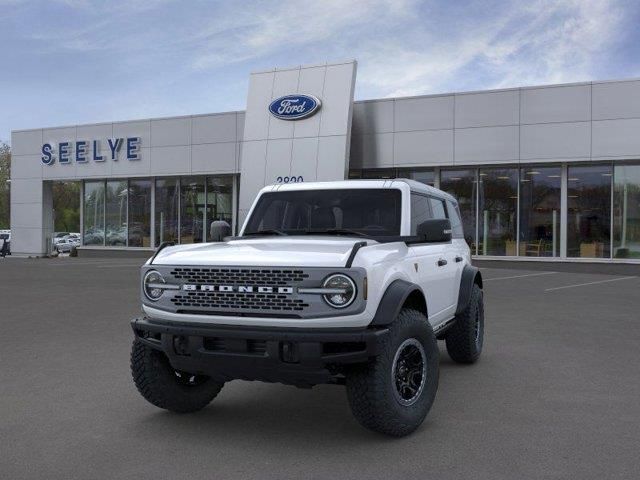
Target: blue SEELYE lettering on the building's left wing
[{"x": 82, "y": 151}]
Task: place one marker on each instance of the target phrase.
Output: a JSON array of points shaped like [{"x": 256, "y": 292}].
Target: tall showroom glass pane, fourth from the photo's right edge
[{"x": 498, "y": 211}]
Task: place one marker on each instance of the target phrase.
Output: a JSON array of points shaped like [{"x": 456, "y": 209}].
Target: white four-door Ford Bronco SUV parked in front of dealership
[{"x": 348, "y": 283}]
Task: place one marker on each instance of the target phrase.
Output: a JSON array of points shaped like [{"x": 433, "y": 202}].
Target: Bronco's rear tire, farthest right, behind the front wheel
[{"x": 464, "y": 342}]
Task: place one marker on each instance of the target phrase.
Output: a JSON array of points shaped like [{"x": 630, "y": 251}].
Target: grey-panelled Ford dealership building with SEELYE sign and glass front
[{"x": 541, "y": 173}]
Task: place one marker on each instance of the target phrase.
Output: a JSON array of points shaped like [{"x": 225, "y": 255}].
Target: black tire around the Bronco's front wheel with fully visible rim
[{"x": 370, "y": 387}]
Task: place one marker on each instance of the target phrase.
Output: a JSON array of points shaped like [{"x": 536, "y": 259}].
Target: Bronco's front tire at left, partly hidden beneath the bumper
[{"x": 158, "y": 382}]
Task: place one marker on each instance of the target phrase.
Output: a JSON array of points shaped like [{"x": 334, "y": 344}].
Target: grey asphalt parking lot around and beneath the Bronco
[{"x": 555, "y": 395}]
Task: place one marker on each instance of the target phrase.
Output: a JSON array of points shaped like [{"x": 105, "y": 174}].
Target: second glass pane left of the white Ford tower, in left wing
[{"x": 192, "y": 209}]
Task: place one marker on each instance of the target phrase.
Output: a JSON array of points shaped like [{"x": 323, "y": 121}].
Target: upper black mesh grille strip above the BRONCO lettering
[{"x": 242, "y": 276}]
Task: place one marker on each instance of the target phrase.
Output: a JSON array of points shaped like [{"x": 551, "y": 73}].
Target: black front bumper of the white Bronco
[{"x": 301, "y": 357}]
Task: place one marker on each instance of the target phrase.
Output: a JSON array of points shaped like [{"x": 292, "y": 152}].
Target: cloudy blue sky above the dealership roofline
[{"x": 78, "y": 61}]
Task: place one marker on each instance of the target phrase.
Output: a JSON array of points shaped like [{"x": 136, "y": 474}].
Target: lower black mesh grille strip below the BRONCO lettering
[{"x": 238, "y": 301}]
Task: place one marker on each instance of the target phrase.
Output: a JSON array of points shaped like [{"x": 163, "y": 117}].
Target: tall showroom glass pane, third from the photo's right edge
[{"x": 540, "y": 192}]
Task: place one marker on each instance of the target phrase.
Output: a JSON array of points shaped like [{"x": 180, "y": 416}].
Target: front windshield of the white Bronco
[{"x": 360, "y": 212}]
